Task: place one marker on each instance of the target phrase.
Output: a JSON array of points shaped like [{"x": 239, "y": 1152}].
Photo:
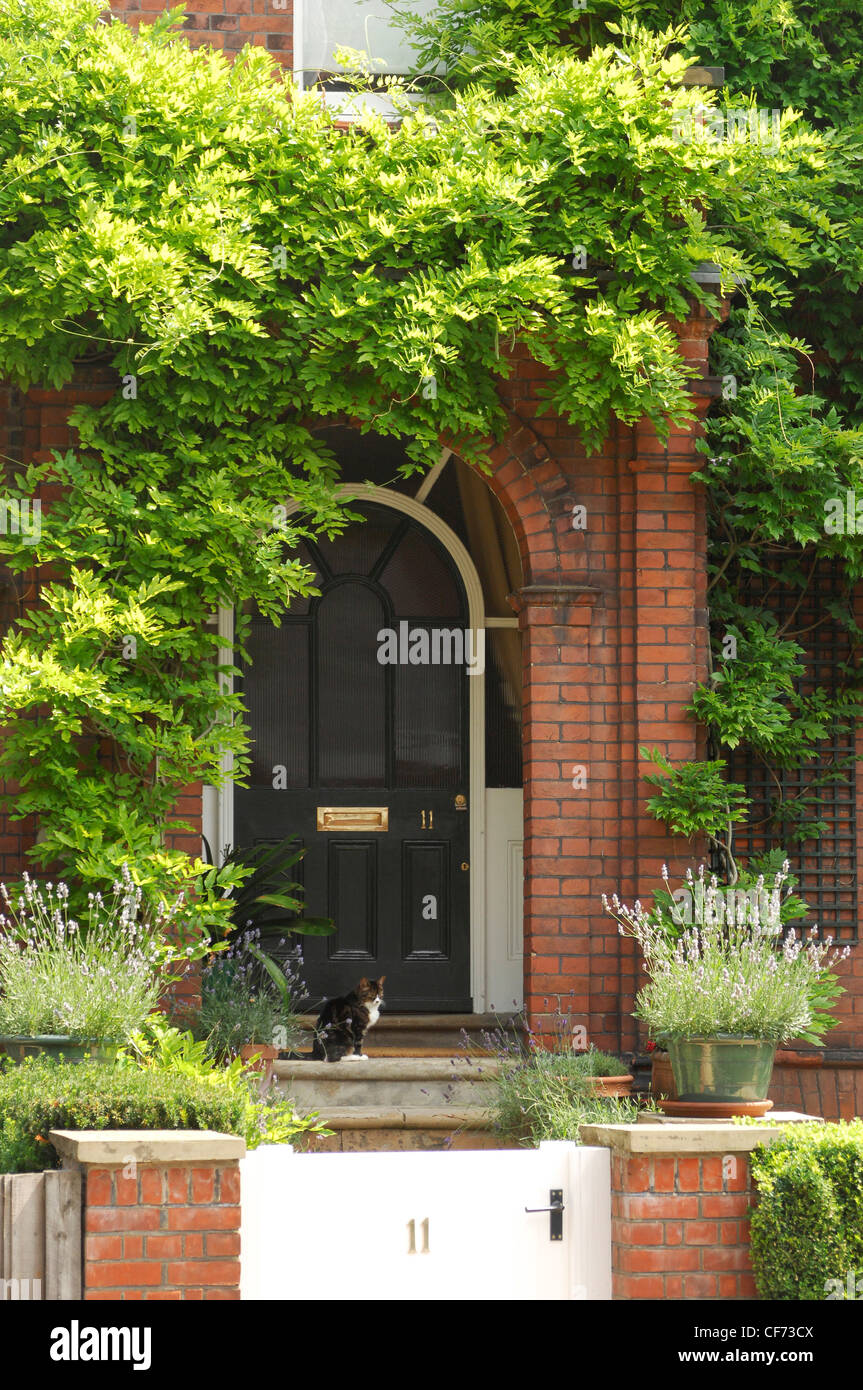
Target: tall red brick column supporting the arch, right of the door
[{"x": 557, "y": 623}]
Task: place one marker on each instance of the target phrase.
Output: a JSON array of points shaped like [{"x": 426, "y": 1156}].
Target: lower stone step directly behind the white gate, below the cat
[{"x": 384, "y": 1129}]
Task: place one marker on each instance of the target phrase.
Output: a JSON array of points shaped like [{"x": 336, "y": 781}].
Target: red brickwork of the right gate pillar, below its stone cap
[{"x": 680, "y": 1227}]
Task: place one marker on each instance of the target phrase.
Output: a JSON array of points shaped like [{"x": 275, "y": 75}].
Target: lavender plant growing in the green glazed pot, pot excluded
[{"x": 734, "y": 968}]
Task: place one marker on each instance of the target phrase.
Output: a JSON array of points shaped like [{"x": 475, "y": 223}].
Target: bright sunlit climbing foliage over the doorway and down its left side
[{"x": 236, "y": 268}]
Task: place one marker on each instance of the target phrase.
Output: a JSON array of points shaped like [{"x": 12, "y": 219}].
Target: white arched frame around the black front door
[{"x": 219, "y": 803}]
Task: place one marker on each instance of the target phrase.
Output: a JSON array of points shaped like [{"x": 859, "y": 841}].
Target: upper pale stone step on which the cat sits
[{"x": 386, "y": 1084}]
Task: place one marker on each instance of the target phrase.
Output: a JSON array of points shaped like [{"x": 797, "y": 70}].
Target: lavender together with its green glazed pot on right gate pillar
[{"x": 729, "y": 988}]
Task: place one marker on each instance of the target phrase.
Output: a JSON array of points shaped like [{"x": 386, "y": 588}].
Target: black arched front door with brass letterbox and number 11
[{"x": 358, "y": 707}]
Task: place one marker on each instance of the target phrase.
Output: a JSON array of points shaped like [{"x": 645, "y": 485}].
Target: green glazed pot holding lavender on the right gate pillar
[{"x": 722, "y": 1068}]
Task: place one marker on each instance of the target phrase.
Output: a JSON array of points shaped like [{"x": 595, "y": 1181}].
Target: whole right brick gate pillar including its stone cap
[{"x": 682, "y": 1197}]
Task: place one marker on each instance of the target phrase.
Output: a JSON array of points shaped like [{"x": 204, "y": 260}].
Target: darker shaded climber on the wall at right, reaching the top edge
[{"x": 786, "y": 441}]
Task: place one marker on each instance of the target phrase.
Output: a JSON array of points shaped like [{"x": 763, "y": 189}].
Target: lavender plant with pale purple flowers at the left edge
[{"x": 95, "y": 981}]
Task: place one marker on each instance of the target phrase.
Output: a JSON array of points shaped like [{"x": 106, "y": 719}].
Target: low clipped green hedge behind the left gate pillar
[{"x": 40, "y": 1096}]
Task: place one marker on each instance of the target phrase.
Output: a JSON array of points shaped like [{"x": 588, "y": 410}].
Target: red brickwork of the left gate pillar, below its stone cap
[{"x": 169, "y": 1232}]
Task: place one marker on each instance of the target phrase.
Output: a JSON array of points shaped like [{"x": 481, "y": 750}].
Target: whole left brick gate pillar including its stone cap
[{"x": 162, "y": 1213}]
